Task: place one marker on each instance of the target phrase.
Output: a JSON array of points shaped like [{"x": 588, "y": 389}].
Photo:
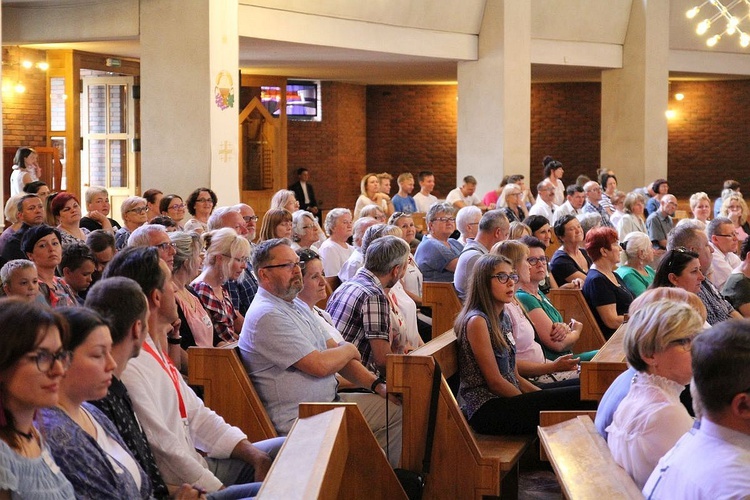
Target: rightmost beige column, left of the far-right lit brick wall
[{"x": 635, "y": 98}]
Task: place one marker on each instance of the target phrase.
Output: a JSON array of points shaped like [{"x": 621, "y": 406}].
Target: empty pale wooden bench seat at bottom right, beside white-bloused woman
[{"x": 582, "y": 462}]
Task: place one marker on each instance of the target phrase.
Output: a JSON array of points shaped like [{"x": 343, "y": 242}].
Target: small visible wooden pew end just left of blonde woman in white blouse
[{"x": 599, "y": 373}]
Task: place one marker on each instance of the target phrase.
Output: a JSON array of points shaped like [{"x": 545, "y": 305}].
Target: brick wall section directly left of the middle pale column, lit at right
[{"x": 412, "y": 128}]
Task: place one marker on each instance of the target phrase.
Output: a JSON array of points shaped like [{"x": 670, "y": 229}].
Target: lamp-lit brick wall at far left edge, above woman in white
[{"x": 24, "y": 115}]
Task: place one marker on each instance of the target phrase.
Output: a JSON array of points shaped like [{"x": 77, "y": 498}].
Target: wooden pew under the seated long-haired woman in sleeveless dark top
[{"x": 464, "y": 464}]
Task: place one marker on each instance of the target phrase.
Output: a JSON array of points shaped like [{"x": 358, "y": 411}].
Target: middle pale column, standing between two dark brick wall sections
[{"x": 494, "y": 97}]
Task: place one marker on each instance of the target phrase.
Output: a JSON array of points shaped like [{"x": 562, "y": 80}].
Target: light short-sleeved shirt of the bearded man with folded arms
[{"x": 276, "y": 334}]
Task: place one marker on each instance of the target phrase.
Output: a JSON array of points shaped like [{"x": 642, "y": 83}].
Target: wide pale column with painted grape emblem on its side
[{"x": 190, "y": 96}]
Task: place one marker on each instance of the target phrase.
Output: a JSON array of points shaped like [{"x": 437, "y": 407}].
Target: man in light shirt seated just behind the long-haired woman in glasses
[{"x": 493, "y": 228}]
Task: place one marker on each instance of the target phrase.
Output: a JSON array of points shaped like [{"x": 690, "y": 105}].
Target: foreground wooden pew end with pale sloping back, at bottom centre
[{"x": 330, "y": 453}]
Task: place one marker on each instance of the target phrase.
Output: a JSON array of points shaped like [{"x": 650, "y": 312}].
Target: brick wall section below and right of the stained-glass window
[{"x": 334, "y": 149}]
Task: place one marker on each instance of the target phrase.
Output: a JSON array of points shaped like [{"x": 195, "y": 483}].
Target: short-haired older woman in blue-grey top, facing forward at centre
[{"x": 437, "y": 255}]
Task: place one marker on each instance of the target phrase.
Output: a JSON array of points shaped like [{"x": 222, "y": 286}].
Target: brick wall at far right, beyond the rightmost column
[{"x": 708, "y": 139}]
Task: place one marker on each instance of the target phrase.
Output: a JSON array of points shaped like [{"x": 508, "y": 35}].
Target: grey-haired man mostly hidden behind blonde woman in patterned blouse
[{"x": 243, "y": 290}]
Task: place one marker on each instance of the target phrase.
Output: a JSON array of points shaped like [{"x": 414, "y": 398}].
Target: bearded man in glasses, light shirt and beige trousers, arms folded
[{"x": 290, "y": 358}]
